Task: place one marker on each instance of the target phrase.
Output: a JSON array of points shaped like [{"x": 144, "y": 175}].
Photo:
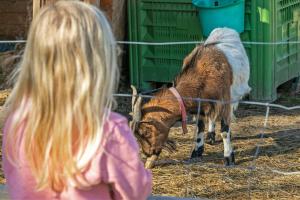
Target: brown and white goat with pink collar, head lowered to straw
[{"x": 207, "y": 74}]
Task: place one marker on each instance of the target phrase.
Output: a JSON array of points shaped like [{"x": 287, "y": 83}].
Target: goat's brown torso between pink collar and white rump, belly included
[{"x": 206, "y": 74}]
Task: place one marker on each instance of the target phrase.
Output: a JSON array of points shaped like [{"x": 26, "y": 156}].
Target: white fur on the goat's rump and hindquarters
[{"x": 228, "y": 41}]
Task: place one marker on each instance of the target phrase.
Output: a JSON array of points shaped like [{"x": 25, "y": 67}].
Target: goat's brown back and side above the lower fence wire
[{"x": 207, "y": 74}]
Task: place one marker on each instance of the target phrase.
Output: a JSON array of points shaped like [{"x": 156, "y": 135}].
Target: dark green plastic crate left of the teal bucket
[{"x": 160, "y": 21}]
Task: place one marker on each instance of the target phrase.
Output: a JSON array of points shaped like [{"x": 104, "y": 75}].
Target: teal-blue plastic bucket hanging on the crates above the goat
[{"x": 221, "y": 13}]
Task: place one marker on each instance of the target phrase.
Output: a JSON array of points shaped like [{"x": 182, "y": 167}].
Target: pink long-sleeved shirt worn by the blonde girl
[{"x": 117, "y": 170}]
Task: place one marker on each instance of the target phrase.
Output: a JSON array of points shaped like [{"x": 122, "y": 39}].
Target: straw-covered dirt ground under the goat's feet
[{"x": 274, "y": 174}]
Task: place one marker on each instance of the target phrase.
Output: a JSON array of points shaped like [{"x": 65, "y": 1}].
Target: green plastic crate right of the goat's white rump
[{"x": 272, "y": 65}]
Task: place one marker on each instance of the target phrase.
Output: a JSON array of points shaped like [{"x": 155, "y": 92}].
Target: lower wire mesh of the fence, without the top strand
[{"x": 252, "y": 168}]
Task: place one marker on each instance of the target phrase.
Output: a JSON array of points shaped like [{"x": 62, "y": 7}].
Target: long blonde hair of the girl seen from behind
[{"x": 63, "y": 93}]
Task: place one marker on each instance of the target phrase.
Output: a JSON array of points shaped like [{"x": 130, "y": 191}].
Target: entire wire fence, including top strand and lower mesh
[{"x": 268, "y": 106}]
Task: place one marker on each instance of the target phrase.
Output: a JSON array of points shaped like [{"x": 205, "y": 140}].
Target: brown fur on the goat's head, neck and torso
[{"x": 205, "y": 74}]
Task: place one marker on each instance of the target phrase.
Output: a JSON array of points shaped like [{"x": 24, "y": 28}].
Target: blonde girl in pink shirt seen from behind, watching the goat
[{"x": 61, "y": 140}]
